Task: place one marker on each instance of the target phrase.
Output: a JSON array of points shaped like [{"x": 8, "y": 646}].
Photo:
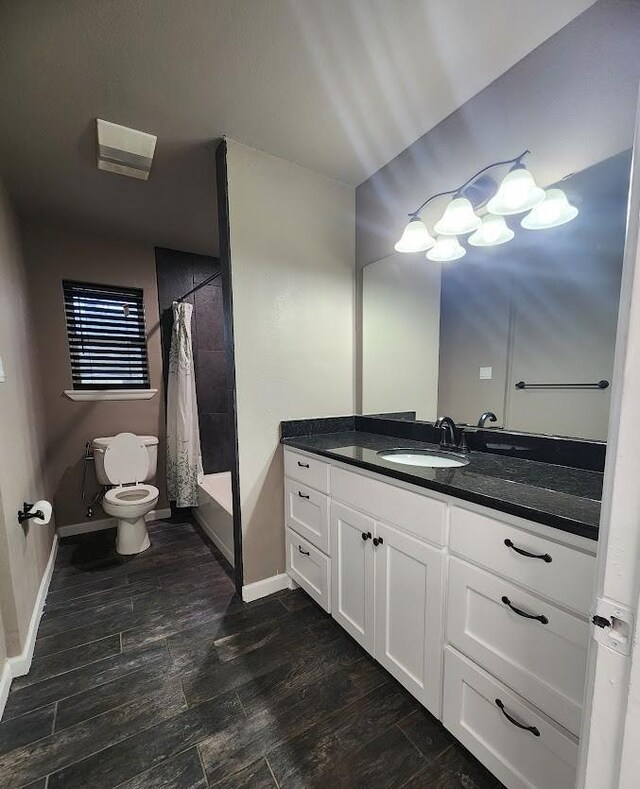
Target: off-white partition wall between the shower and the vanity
[{"x": 292, "y": 239}]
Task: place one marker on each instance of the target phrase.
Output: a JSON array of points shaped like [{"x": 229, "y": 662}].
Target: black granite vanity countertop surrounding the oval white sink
[{"x": 557, "y": 496}]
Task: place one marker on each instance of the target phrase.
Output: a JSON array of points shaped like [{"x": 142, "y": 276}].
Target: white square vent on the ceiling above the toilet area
[{"x": 125, "y": 151}]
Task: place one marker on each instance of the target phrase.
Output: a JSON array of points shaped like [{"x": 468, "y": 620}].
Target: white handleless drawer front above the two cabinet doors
[{"x": 421, "y": 516}]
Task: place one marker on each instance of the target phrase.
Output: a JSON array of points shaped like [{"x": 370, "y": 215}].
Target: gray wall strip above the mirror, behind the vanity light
[{"x": 571, "y": 102}]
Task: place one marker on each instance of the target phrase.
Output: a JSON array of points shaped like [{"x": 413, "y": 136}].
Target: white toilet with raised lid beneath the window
[{"x": 126, "y": 462}]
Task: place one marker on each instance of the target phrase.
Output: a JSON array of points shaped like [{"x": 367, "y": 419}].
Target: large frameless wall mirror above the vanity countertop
[{"x": 461, "y": 338}]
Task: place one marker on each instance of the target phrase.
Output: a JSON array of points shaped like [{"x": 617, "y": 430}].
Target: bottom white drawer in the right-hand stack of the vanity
[{"x": 545, "y": 758}]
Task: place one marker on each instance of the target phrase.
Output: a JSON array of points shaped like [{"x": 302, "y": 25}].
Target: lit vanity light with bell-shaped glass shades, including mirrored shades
[{"x": 517, "y": 193}]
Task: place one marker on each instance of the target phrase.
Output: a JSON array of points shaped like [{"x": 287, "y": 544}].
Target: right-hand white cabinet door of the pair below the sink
[{"x": 409, "y": 599}]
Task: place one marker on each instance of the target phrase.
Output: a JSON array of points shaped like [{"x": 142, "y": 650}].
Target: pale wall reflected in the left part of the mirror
[{"x": 401, "y": 335}]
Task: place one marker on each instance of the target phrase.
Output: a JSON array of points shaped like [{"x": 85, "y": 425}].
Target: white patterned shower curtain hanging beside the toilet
[{"x": 184, "y": 460}]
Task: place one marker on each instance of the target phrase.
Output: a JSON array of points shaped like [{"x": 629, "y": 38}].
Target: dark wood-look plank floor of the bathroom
[{"x": 151, "y": 673}]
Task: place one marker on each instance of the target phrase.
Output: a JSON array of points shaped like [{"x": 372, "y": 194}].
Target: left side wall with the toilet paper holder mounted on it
[{"x": 24, "y": 551}]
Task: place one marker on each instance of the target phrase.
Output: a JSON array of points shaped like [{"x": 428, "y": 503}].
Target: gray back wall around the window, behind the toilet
[{"x": 54, "y": 254}]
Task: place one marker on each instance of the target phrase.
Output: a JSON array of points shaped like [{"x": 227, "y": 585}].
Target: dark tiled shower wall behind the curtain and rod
[{"x": 177, "y": 272}]
